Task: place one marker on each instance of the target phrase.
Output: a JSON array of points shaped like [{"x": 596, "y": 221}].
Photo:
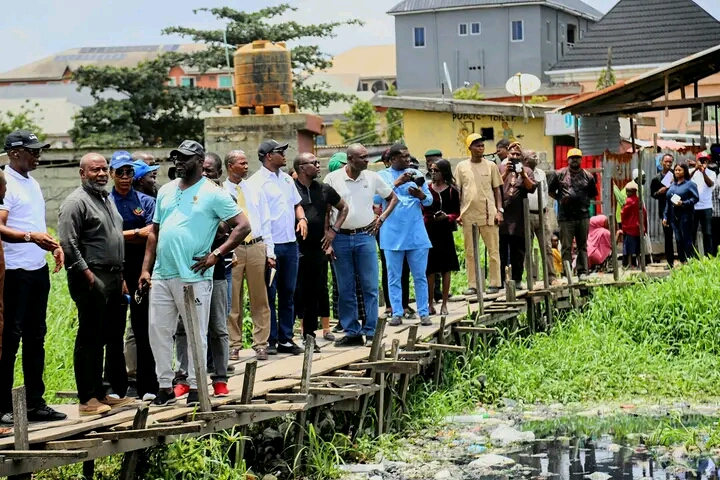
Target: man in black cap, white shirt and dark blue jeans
[{"x": 285, "y": 213}]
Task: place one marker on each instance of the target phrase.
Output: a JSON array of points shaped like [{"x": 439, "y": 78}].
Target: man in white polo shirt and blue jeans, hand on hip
[{"x": 353, "y": 244}]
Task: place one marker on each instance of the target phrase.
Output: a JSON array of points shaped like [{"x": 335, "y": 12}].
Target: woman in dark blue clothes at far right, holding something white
[{"x": 682, "y": 196}]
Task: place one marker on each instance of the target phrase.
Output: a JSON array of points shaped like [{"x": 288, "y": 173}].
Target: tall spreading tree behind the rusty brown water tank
[{"x": 243, "y": 28}]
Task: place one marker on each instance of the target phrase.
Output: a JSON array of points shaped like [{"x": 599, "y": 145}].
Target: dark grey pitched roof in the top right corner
[{"x": 644, "y": 32}]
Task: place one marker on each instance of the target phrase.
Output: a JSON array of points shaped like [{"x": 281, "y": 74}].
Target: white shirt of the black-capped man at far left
[{"x": 25, "y": 205}]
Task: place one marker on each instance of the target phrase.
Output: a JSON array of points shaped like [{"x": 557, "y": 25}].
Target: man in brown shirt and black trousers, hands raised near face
[{"x": 518, "y": 182}]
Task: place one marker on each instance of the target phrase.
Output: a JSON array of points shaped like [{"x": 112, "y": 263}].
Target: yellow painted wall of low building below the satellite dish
[{"x": 447, "y": 132}]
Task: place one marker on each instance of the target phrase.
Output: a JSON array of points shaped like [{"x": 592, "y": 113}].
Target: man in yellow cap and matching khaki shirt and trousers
[{"x": 479, "y": 183}]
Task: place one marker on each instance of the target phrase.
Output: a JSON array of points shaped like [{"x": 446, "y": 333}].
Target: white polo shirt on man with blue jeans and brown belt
[{"x": 358, "y": 194}]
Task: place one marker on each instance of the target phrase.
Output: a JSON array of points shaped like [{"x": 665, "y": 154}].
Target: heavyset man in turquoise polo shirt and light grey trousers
[{"x": 187, "y": 215}]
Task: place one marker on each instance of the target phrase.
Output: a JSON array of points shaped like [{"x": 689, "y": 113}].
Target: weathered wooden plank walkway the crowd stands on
[{"x": 280, "y": 377}]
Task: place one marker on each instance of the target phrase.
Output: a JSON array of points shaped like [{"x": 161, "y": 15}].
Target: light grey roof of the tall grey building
[{"x": 573, "y": 6}]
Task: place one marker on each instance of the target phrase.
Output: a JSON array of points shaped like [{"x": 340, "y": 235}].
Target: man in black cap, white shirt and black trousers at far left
[{"x": 22, "y": 226}]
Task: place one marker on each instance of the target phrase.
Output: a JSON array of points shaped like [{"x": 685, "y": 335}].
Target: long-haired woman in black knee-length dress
[{"x": 441, "y": 222}]
